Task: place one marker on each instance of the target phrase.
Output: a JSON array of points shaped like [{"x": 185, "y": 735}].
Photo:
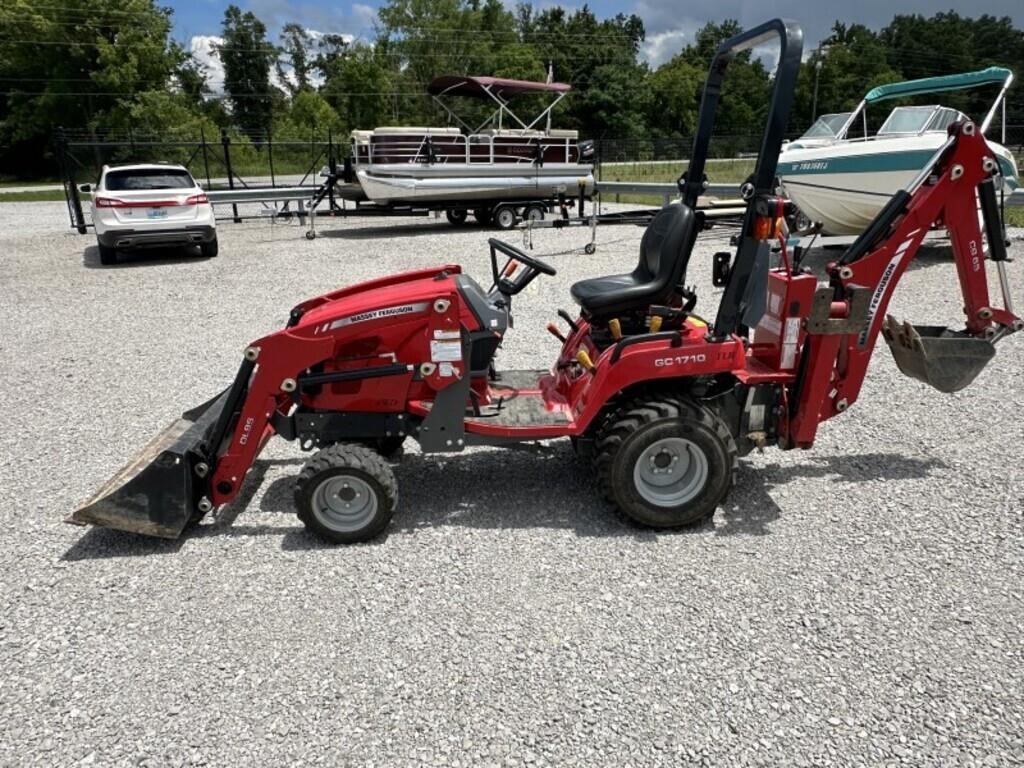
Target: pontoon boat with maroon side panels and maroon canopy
[{"x": 505, "y": 159}]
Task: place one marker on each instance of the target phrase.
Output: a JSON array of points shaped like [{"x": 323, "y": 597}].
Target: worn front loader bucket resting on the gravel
[{"x": 159, "y": 492}]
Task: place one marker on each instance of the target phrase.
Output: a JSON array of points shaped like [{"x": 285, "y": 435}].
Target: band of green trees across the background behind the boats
[{"x": 113, "y": 69}]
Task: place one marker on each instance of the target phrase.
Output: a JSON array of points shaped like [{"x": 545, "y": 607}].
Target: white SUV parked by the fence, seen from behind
[{"x": 147, "y": 205}]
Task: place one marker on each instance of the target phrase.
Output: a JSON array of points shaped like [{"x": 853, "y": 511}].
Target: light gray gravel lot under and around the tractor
[{"x": 856, "y": 605}]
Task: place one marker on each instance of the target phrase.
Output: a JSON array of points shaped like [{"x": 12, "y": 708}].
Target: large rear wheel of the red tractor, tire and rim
[{"x": 666, "y": 462}]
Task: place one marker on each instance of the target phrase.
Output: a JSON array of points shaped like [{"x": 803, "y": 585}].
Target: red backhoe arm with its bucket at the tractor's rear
[{"x": 947, "y": 193}]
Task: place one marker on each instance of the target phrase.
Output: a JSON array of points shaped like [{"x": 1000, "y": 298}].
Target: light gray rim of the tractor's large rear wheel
[{"x": 670, "y": 473}]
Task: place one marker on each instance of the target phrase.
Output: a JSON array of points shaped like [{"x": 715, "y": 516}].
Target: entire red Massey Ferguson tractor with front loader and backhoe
[{"x": 664, "y": 402}]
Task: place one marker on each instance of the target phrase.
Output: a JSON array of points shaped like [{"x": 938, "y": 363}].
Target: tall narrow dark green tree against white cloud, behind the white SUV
[{"x": 248, "y": 57}]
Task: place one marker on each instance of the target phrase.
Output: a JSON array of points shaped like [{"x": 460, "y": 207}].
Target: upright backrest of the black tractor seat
[{"x": 665, "y": 250}]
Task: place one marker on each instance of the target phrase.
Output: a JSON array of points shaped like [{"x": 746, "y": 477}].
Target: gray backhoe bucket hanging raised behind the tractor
[{"x": 947, "y": 360}]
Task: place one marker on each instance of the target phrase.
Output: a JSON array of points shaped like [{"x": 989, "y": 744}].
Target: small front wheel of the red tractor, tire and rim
[{"x": 347, "y": 494}]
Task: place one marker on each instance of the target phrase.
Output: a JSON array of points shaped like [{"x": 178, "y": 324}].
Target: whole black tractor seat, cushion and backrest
[{"x": 665, "y": 252}]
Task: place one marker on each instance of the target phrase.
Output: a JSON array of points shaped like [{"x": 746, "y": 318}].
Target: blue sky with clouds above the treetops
[{"x": 670, "y": 24}]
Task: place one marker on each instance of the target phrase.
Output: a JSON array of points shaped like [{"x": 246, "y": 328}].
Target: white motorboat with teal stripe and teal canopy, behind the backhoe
[{"x": 842, "y": 183}]
